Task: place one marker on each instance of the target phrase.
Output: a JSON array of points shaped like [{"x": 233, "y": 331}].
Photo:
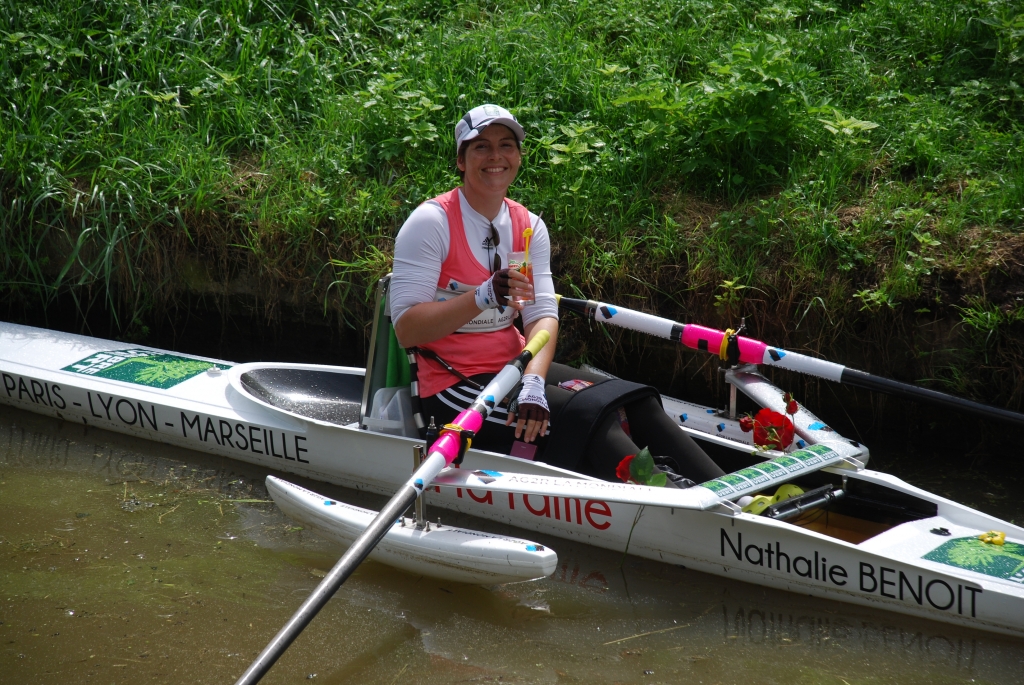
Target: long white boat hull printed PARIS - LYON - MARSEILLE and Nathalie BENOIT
[{"x": 906, "y": 569}]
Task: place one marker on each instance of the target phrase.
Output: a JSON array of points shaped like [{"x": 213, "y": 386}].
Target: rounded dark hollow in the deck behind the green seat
[{"x": 327, "y": 395}]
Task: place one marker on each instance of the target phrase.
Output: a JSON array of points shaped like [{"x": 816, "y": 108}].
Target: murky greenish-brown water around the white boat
[{"x": 124, "y": 562}]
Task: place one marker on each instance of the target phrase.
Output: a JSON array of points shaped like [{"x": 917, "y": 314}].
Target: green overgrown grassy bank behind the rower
[{"x": 850, "y": 178}]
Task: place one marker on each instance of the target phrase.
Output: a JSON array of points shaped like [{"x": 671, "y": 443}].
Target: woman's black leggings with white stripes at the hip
[{"x": 650, "y": 427}]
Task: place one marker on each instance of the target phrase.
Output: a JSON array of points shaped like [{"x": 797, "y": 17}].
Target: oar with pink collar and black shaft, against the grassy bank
[{"x": 739, "y": 350}]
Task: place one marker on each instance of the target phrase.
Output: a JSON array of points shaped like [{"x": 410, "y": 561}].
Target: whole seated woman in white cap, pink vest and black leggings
[{"x": 454, "y": 299}]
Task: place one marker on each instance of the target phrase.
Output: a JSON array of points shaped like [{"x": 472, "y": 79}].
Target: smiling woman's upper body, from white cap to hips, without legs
[{"x": 453, "y": 294}]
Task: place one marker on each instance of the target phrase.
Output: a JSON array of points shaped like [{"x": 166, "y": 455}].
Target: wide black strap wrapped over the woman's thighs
[{"x": 575, "y": 421}]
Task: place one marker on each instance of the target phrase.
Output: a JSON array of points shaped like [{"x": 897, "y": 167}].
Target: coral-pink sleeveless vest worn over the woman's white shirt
[{"x": 470, "y": 353}]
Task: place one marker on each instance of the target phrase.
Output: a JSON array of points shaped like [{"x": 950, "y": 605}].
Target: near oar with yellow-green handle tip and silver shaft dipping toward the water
[{"x": 453, "y": 442}]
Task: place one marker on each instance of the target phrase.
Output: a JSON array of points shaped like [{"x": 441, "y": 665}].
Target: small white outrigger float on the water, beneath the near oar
[{"x": 439, "y": 551}]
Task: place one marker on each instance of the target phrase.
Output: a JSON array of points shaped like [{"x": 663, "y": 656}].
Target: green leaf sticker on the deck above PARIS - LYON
[{"x": 143, "y": 367}]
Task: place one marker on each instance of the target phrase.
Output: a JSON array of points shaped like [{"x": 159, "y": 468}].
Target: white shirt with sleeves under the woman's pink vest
[{"x": 422, "y": 246}]
